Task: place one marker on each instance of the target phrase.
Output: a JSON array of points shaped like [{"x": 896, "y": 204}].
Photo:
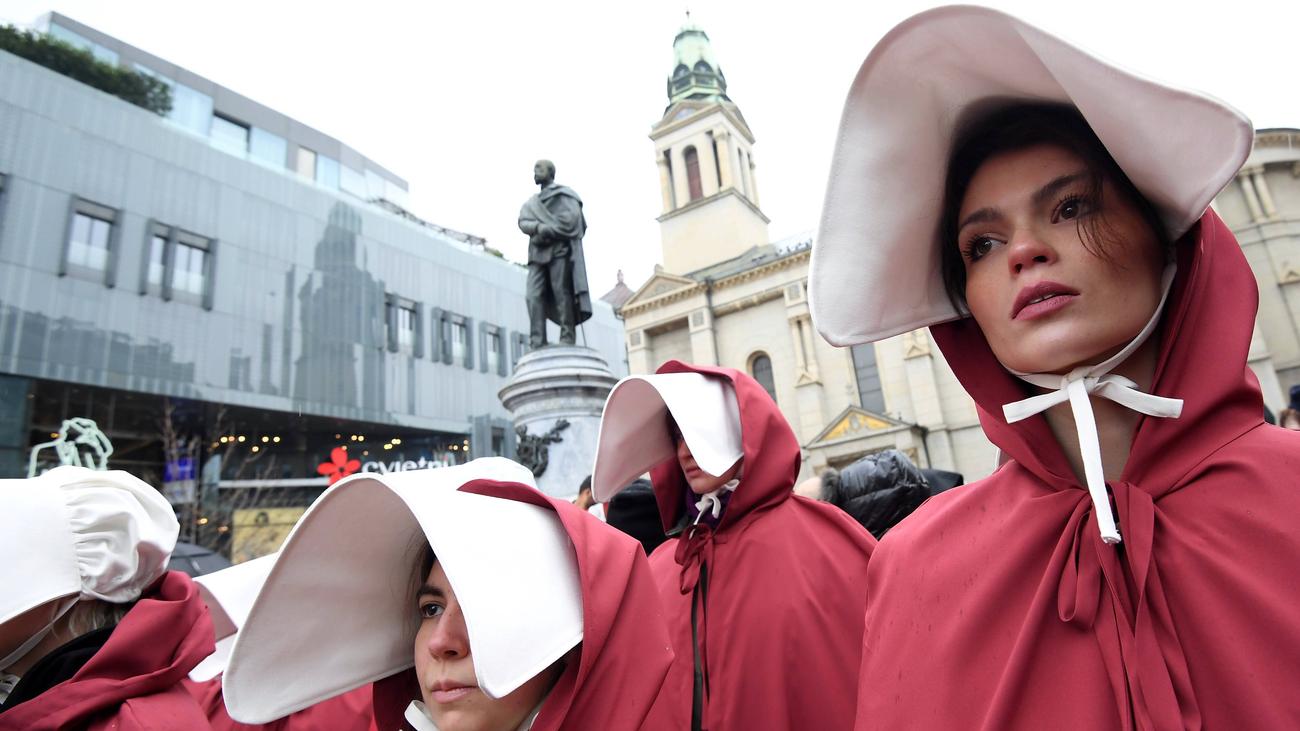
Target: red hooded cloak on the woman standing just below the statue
[{"x": 782, "y": 617}]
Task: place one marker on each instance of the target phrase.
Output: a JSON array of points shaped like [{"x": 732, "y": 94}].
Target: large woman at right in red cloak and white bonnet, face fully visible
[{"x": 1132, "y": 563}]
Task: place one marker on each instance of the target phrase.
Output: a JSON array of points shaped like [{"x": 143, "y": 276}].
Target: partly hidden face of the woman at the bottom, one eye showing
[{"x": 447, "y": 669}]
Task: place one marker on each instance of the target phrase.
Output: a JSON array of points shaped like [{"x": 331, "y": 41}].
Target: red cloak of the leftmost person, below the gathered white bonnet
[{"x": 135, "y": 681}]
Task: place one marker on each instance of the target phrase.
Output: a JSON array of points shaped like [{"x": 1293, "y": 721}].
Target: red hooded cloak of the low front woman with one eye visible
[{"x": 625, "y": 652}]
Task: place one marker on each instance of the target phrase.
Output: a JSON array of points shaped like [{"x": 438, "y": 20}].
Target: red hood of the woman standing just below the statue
[{"x": 772, "y": 455}]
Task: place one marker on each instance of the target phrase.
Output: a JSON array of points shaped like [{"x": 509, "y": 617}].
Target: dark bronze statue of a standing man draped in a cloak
[{"x": 557, "y": 271}]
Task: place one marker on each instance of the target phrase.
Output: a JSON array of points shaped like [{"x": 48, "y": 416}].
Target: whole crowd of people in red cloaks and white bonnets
[{"x": 1129, "y": 565}]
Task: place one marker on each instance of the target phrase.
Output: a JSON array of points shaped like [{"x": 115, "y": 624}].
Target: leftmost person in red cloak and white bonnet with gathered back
[{"x": 96, "y": 633}]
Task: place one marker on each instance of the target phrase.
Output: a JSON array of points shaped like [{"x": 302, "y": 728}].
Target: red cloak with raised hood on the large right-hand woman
[{"x": 998, "y": 605}]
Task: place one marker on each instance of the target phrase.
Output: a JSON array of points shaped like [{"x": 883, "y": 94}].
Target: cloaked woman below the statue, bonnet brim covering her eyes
[{"x": 764, "y": 589}]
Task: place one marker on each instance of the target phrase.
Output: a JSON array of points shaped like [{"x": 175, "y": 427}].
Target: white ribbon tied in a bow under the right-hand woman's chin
[{"x": 1097, "y": 380}]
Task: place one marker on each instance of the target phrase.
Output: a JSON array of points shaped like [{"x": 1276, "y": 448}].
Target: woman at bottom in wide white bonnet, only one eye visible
[{"x": 469, "y": 598}]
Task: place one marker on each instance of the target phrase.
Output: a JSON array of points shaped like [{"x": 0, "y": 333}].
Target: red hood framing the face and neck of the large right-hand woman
[{"x": 1206, "y": 338}]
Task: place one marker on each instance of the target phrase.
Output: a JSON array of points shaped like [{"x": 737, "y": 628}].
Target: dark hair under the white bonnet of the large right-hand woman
[{"x": 1017, "y": 128}]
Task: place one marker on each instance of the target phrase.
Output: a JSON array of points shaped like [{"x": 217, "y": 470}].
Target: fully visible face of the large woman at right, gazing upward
[{"x": 1046, "y": 302}]
